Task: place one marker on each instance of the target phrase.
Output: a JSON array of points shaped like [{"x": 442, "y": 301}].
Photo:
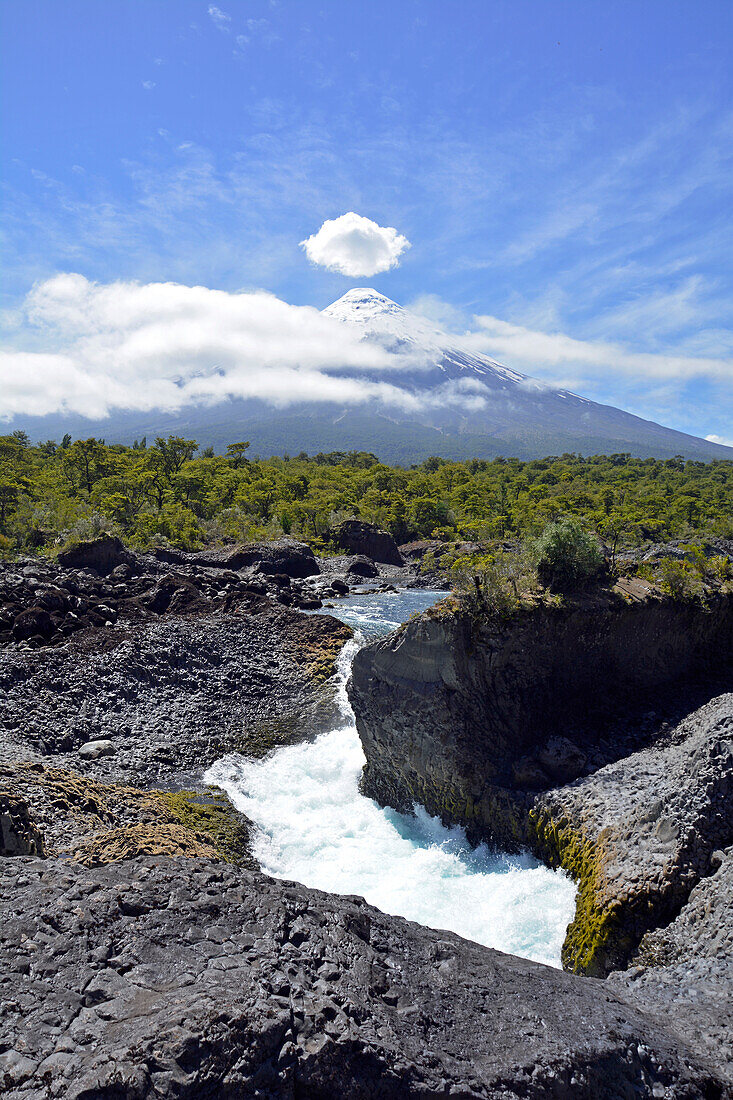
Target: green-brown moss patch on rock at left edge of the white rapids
[{"x": 213, "y": 817}]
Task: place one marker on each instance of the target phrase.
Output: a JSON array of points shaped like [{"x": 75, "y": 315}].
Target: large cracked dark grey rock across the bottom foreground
[{"x": 192, "y": 981}]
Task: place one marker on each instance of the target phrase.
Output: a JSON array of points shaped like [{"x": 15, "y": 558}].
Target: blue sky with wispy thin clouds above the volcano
[{"x": 563, "y": 171}]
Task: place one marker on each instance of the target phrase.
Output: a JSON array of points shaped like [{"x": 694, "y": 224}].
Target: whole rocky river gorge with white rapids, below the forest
[{"x": 338, "y": 916}]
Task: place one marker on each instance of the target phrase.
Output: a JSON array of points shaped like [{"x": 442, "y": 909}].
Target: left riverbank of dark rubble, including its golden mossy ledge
[{"x": 145, "y": 670}]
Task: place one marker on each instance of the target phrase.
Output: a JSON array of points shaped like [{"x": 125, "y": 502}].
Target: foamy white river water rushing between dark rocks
[{"x": 315, "y": 828}]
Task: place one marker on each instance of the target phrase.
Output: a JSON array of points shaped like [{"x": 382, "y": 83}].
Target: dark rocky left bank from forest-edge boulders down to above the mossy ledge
[{"x": 143, "y": 668}]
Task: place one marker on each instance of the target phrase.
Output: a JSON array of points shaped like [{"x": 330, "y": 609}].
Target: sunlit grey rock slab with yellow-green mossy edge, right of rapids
[{"x": 640, "y": 834}]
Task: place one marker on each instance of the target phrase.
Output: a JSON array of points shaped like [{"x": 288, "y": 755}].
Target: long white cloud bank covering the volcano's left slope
[{"x": 128, "y": 346}]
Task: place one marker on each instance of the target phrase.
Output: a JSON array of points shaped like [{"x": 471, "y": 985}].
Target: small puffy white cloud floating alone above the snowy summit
[{"x": 356, "y": 247}]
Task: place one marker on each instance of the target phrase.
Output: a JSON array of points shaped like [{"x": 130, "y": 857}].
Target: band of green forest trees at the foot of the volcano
[{"x": 173, "y": 493}]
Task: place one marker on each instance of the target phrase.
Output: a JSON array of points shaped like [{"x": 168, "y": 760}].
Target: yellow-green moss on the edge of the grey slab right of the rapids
[{"x": 595, "y": 925}]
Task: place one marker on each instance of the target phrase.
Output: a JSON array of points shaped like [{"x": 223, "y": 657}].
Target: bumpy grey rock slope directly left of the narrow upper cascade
[{"x": 172, "y": 695}]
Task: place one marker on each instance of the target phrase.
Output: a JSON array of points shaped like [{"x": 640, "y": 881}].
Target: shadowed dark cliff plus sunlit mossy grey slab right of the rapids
[{"x": 485, "y": 724}]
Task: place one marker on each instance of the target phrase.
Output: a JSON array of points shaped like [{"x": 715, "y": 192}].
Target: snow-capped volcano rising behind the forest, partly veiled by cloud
[{"x": 432, "y": 395}]
